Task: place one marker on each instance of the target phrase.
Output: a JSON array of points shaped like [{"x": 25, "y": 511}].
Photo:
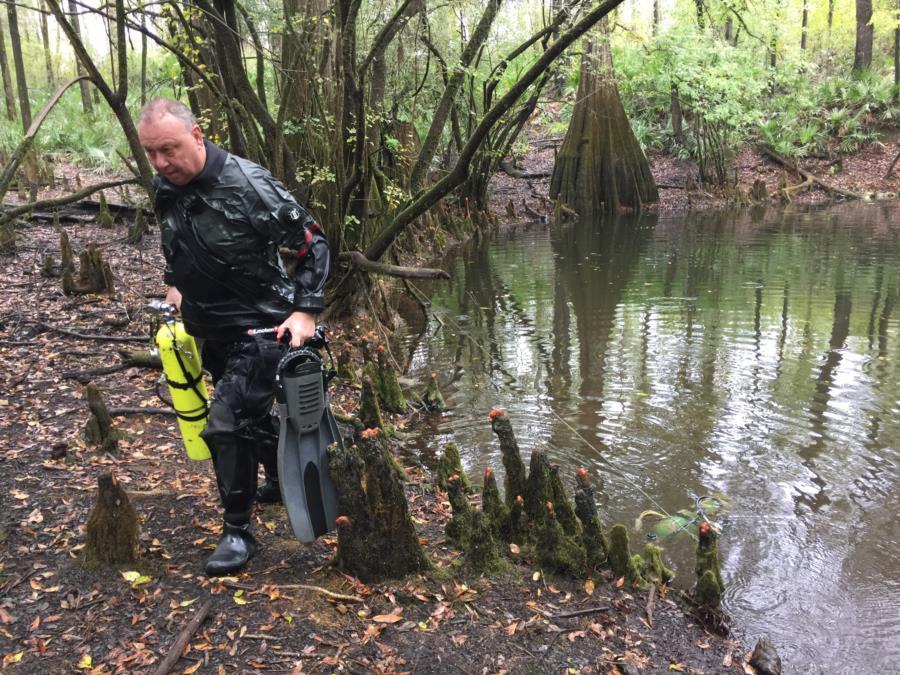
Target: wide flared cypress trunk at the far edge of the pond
[{"x": 601, "y": 167}]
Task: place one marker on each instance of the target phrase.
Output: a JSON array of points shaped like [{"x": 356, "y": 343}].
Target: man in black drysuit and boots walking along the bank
[{"x": 222, "y": 220}]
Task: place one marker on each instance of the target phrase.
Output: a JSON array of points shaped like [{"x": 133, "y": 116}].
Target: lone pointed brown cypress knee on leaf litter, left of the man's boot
[{"x": 112, "y": 528}]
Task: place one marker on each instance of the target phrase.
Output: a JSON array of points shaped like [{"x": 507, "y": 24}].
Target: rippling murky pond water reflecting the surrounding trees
[{"x": 753, "y": 354}]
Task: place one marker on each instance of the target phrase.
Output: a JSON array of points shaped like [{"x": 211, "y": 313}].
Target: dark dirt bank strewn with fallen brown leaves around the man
[{"x": 282, "y": 614}]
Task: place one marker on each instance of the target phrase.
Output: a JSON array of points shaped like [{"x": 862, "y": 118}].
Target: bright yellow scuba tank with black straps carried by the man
[{"x": 184, "y": 375}]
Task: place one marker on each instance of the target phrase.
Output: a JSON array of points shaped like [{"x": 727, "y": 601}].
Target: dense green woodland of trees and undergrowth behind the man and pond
[{"x": 389, "y": 120}]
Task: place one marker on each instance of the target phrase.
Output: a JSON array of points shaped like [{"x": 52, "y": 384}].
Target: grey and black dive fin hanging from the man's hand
[{"x": 307, "y": 430}]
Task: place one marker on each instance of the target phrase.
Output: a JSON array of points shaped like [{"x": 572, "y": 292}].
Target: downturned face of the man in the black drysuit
[{"x": 175, "y": 151}]
